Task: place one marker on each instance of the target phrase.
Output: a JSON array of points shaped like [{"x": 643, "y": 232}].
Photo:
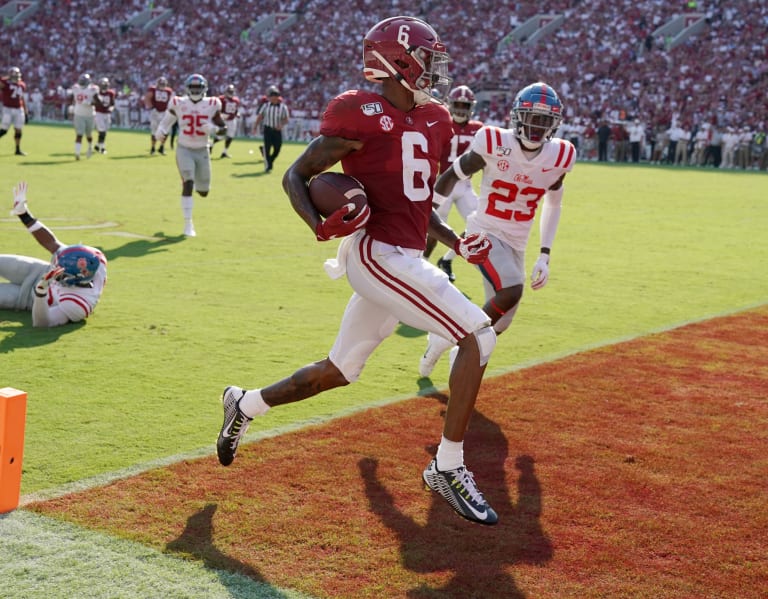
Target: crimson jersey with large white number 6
[{"x": 398, "y": 163}]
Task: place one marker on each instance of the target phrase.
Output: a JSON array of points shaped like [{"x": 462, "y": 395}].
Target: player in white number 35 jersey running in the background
[{"x": 199, "y": 117}]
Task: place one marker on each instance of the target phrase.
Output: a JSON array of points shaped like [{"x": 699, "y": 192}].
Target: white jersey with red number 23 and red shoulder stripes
[{"x": 513, "y": 185}]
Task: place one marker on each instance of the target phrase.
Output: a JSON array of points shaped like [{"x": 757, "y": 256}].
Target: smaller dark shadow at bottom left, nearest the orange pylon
[{"x": 196, "y": 541}]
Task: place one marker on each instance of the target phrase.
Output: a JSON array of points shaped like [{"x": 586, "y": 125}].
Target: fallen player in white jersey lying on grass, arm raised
[{"x": 65, "y": 288}]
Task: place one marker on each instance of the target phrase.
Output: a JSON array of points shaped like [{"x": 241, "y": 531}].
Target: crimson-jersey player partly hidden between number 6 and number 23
[{"x": 461, "y": 104}]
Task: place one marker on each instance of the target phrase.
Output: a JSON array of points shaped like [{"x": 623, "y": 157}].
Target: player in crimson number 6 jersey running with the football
[{"x": 391, "y": 142}]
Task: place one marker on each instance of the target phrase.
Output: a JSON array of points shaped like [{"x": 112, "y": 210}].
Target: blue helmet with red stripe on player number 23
[{"x": 536, "y": 114}]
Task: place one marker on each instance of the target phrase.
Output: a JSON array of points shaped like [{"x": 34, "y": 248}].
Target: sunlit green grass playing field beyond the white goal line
[{"x": 639, "y": 249}]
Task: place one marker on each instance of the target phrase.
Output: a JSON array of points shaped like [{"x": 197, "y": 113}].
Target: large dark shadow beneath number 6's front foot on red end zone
[{"x": 478, "y": 557}]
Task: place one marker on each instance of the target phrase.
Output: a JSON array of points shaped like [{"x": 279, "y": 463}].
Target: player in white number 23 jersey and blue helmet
[{"x": 523, "y": 169}]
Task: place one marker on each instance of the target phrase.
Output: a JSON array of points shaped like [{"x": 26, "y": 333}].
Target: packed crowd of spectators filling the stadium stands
[{"x": 603, "y": 60}]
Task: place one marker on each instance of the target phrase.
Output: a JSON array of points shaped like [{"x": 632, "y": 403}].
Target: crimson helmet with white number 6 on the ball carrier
[{"x": 410, "y": 51}]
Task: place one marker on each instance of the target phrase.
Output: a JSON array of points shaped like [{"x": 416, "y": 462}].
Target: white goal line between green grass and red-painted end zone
[{"x": 110, "y": 477}]
